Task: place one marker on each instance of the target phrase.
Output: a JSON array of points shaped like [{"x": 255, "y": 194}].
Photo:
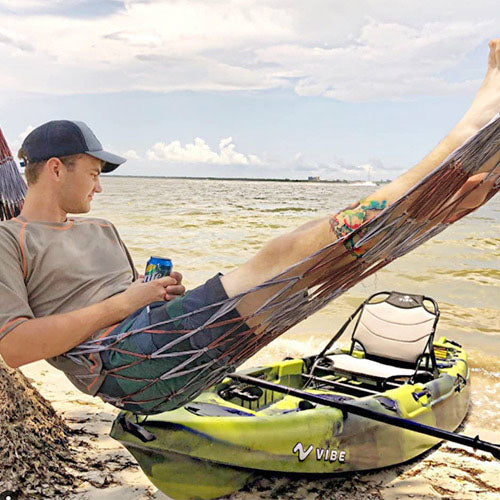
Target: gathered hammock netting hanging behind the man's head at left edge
[{"x": 12, "y": 185}]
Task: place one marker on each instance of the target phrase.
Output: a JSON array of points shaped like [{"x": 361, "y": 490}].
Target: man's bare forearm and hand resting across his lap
[{"x": 50, "y": 336}]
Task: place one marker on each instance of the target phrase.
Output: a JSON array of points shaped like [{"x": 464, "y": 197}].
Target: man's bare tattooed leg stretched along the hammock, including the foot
[{"x": 289, "y": 249}]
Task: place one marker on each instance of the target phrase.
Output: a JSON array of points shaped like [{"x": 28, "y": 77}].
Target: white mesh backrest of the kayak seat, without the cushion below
[{"x": 394, "y": 333}]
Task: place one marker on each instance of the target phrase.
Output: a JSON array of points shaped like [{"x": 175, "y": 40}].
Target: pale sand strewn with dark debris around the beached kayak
[{"x": 450, "y": 471}]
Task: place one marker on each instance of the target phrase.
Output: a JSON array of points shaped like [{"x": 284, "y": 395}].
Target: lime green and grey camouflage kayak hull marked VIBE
[{"x": 213, "y": 446}]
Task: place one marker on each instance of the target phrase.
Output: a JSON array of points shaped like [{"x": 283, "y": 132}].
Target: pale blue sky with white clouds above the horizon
[{"x": 358, "y": 89}]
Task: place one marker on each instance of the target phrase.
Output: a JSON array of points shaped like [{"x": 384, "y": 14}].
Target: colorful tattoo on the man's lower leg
[{"x": 351, "y": 218}]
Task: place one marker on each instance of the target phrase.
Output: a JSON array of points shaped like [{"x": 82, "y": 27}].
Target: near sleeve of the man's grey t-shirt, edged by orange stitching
[{"x": 14, "y": 304}]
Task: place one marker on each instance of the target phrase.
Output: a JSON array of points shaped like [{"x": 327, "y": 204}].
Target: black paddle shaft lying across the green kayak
[{"x": 475, "y": 443}]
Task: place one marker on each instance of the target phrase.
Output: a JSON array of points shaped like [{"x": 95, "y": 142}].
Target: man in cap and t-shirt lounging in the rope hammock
[{"x": 71, "y": 295}]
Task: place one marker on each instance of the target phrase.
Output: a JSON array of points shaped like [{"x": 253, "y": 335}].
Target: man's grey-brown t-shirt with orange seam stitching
[{"x": 52, "y": 268}]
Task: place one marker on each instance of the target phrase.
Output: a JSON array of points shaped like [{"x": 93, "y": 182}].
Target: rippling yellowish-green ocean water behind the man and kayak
[{"x": 207, "y": 226}]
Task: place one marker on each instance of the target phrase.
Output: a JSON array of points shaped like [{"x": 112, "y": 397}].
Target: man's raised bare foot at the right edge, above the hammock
[{"x": 486, "y": 103}]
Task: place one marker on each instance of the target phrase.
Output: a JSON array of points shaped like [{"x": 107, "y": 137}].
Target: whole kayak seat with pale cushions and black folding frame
[{"x": 395, "y": 331}]
